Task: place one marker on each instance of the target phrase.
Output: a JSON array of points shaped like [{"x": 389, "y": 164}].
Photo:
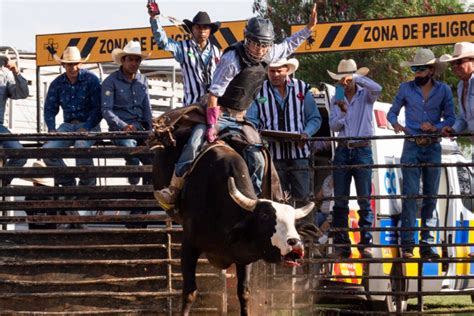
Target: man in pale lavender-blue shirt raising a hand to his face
[{"x": 351, "y": 116}]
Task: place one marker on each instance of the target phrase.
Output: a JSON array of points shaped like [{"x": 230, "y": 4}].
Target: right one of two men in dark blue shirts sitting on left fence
[{"x": 126, "y": 99}]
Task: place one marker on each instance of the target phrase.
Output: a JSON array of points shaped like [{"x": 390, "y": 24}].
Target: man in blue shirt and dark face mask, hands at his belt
[{"x": 428, "y": 108}]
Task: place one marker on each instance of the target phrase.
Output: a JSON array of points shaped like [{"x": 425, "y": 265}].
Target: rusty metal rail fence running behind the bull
[{"x": 108, "y": 267}]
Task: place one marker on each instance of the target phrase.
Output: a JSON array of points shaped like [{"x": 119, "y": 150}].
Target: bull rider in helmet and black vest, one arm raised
[{"x": 238, "y": 76}]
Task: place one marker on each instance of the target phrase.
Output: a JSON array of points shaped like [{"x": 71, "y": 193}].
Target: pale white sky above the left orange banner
[{"x": 21, "y": 20}]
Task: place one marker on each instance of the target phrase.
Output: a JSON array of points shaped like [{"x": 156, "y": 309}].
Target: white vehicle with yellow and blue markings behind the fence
[{"x": 452, "y": 212}]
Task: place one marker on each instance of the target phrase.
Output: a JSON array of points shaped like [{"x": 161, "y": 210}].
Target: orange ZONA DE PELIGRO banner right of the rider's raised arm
[{"x": 389, "y": 33}]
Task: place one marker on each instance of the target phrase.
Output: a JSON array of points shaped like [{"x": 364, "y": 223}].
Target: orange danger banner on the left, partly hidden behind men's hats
[{"x": 100, "y": 44}]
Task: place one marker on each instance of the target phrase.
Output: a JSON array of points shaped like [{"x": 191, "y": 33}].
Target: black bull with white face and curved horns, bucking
[{"x": 223, "y": 219}]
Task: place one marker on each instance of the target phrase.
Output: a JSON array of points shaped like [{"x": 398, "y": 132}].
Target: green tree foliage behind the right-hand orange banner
[{"x": 383, "y": 63}]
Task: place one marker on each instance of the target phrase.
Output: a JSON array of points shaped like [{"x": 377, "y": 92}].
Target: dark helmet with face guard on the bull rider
[{"x": 260, "y": 33}]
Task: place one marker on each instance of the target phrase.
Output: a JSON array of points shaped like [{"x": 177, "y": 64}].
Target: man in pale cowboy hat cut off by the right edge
[{"x": 462, "y": 64}]
